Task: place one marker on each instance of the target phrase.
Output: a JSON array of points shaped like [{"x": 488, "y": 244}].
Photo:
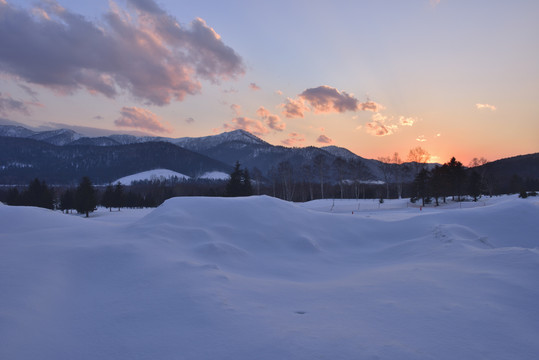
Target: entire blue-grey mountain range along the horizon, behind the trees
[{"x": 63, "y": 156}]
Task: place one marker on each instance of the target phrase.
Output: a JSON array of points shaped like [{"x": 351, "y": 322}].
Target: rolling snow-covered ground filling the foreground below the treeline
[{"x": 260, "y": 278}]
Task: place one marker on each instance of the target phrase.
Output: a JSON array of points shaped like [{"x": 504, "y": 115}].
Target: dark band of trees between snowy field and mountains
[{"x": 321, "y": 179}]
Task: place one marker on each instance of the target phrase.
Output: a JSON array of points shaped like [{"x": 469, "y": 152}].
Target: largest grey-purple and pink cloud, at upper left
[{"x": 141, "y": 50}]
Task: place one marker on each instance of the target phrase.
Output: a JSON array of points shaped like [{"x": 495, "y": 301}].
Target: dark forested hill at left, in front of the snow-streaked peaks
[{"x": 23, "y": 159}]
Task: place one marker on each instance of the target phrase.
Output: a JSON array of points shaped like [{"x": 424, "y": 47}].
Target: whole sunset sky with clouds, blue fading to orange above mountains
[{"x": 457, "y": 78}]
